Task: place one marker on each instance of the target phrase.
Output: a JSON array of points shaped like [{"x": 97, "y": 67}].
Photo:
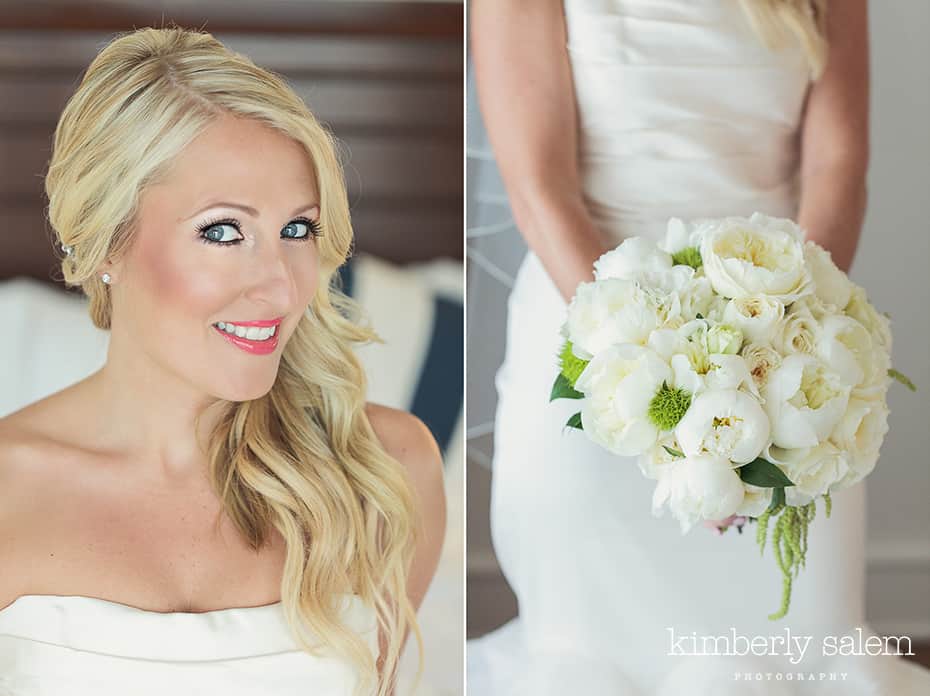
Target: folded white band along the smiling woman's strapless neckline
[{"x": 92, "y": 624}]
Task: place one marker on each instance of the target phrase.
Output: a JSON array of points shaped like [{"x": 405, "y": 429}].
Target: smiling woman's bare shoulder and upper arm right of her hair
[{"x": 407, "y": 439}]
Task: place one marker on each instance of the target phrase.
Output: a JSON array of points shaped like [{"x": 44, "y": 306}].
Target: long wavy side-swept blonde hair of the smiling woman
[{"x": 303, "y": 458}]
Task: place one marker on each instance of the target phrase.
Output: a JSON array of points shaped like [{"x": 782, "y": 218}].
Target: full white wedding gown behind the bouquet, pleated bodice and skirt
[{"x": 683, "y": 111}]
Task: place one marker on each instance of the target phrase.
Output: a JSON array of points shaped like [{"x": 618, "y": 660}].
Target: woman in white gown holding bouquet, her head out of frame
[{"x": 606, "y": 118}]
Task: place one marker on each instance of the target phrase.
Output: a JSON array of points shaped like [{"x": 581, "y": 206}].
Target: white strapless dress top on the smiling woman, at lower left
[{"x": 54, "y": 645}]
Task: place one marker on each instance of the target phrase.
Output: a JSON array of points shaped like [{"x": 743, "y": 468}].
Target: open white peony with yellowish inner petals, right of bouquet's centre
[{"x": 804, "y": 400}]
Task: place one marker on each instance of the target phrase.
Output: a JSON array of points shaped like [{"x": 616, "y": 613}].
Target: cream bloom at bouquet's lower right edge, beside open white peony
[{"x": 860, "y": 433}]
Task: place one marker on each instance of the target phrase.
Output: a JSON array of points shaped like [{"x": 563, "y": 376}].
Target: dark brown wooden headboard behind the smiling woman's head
[{"x": 386, "y": 77}]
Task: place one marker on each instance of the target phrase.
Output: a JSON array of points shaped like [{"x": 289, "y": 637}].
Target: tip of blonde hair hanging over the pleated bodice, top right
[{"x": 774, "y": 20}]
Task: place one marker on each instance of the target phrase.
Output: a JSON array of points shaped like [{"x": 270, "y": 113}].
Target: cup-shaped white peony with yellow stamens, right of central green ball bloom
[{"x": 725, "y": 422}]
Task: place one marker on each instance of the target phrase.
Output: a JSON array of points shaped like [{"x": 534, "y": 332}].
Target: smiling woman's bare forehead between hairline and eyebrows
[{"x": 243, "y": 161}]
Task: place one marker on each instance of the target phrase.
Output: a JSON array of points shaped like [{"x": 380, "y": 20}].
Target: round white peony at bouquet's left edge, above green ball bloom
[{"x": 608, "y": 312}]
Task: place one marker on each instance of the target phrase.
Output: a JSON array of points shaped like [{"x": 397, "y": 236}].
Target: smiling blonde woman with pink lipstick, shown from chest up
[{"x": 217, "y": 510}]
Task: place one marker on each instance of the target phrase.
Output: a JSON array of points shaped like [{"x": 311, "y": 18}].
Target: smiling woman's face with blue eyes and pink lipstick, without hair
[{"x": 197, "y": 259}]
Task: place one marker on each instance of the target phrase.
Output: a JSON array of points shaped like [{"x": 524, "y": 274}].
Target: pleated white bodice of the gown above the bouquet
[{"x": 683, "y": 111}]
